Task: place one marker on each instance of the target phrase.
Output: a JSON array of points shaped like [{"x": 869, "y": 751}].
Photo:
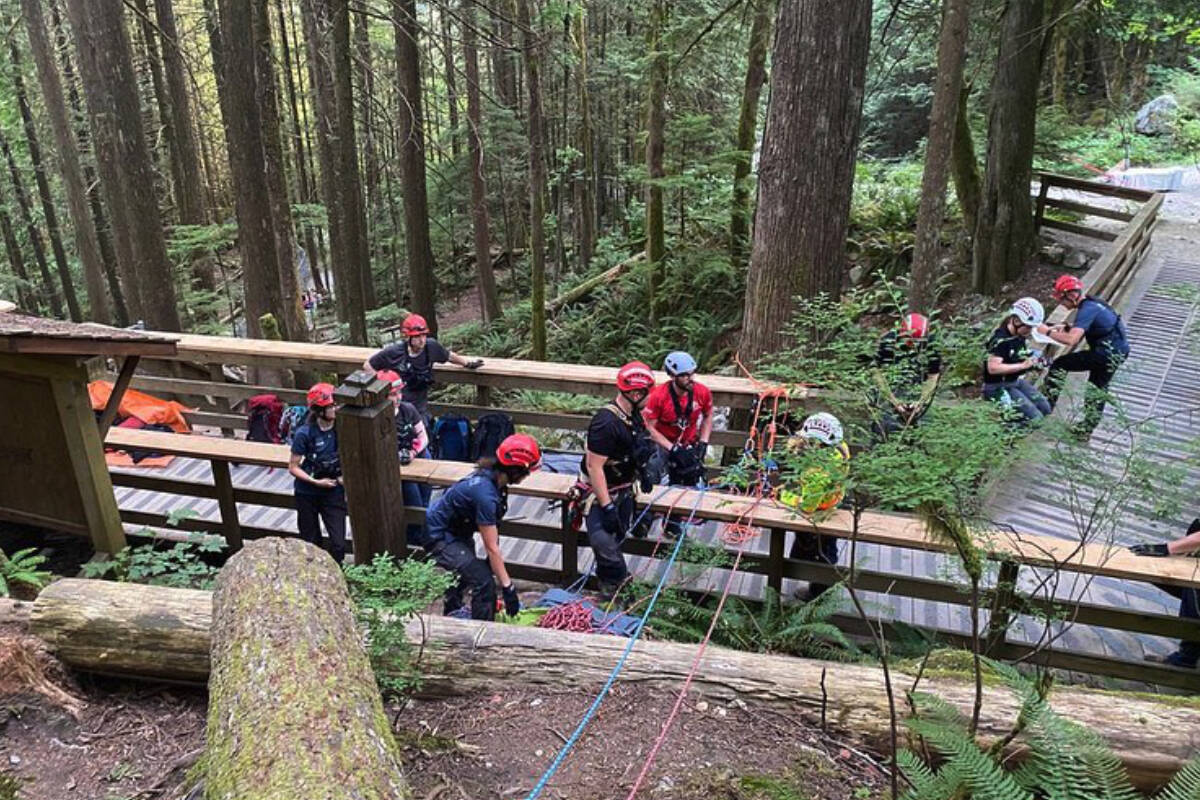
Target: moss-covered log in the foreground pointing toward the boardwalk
[{"x": 293, "y": 706}]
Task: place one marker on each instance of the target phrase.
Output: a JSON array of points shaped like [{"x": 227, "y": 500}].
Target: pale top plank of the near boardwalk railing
[{"x": 892, "y": 530}]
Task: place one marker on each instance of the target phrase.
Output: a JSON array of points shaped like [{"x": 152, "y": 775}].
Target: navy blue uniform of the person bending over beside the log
[{"x": 451, "y": 526}]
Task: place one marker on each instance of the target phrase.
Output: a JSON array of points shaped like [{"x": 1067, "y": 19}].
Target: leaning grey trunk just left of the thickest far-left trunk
[{"x": 87, "y": 244}]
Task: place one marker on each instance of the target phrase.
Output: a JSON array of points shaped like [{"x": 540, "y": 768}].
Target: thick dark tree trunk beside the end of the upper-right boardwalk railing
[{"x": 1005, "y": 236}]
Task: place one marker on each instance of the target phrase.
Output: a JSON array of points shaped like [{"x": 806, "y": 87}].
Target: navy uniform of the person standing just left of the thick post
[{"x": 319, "y": 450}]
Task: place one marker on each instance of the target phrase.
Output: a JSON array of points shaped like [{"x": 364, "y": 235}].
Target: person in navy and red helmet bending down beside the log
[{"x": 479, "y": 503}]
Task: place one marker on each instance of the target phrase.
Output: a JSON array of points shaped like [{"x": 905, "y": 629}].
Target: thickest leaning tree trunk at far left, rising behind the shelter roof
[{"x": 106, "y": 64}]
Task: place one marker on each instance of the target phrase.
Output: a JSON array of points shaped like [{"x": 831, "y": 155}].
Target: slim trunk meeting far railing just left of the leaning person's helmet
[{"x": 350, "y": 187}]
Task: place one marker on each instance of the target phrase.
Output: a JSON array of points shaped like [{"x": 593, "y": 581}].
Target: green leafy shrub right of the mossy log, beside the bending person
[{"x": 386, "y": 597}]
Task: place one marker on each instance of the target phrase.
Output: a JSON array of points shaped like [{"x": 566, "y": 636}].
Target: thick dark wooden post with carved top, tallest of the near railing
[{"x": 367, "y": 443}]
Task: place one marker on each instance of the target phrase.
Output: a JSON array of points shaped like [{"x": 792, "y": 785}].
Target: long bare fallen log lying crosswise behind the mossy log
[{"x": 1154, "y": 738}]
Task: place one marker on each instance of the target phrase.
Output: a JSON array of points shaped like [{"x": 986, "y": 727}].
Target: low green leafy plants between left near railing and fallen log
[{"x": 161, "y": 563}]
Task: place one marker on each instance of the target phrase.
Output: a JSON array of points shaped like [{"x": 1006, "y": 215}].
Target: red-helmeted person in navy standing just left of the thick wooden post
[{"x": 317, "y": 470}]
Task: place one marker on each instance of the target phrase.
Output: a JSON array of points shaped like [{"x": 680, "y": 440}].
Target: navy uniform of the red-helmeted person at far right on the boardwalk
[{"x": 1108, "y": 347}]
